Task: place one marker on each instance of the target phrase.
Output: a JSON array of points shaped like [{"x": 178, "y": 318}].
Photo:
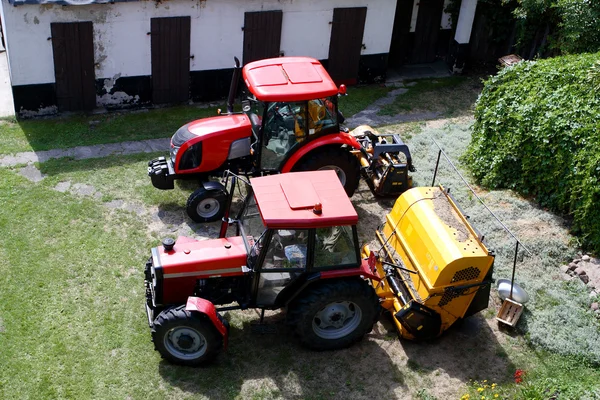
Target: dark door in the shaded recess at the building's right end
[{"x": 429, "y": 19}]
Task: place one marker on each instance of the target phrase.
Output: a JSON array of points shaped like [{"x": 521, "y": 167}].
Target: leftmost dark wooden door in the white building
[{"x": 73, "y": 50}]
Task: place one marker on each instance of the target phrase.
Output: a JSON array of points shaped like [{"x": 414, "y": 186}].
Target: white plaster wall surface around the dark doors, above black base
[{"x": 122, "y": 46}]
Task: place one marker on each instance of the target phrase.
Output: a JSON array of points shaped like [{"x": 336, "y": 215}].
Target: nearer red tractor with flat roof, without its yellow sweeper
[{"x": 296, "y": 248}]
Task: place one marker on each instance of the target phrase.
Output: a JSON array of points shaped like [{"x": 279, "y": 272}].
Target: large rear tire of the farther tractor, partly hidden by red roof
[{"x": 342, "y": 161}]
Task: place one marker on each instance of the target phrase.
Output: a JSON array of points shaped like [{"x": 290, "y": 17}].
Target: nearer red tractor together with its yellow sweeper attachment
[{"x": 296, "y": 247}]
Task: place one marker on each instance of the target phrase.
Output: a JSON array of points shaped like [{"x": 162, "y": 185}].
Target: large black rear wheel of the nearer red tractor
[{"x": 351, "y": 304}]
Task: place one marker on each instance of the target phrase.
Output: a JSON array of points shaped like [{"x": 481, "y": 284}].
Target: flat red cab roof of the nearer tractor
[{"x": 287, "y": 200}]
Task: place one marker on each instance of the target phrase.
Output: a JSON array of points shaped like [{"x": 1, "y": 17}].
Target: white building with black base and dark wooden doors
[{"x": 81, "y": 54}]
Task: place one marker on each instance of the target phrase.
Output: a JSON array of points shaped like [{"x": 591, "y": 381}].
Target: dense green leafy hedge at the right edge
[{"x": 537, "y": 131}]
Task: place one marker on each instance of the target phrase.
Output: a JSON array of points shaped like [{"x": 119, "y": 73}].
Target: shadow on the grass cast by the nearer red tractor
[{"x": 274, "y": 365}]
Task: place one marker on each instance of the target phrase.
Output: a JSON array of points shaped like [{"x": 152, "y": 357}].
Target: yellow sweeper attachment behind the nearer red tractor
[{"x": 434, "y": 267}]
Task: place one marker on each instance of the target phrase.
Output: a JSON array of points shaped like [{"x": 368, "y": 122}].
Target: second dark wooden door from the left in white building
[{"x": 170, "y": 46}]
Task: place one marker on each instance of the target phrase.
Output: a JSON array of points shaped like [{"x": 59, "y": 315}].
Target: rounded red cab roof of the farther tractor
[{"x": 288, "y": 79}]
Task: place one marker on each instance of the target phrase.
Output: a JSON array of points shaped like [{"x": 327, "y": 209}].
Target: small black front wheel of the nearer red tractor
[{"x": 185, "y": 338}]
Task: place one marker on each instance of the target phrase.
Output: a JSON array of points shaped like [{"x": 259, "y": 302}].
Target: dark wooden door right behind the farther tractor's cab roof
[{"x": 262, "y": 35}]
